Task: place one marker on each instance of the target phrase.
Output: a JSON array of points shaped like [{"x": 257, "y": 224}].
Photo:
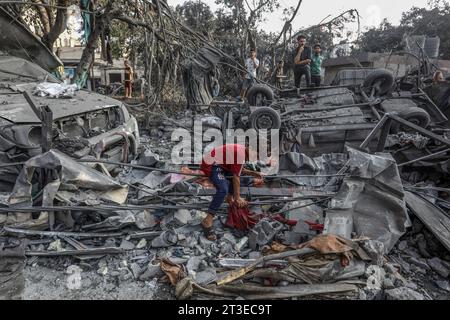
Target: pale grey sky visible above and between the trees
[{"x": 313, "y": 11}]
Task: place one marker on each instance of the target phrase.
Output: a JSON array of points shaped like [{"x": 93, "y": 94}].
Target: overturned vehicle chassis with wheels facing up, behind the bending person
[{"x": 322, "y": 120}]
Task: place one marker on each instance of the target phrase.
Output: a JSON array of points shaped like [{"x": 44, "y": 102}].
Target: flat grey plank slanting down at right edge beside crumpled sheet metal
[{"x": 431, "y": 216}]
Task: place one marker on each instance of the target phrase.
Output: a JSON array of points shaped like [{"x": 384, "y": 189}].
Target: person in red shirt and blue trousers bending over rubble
[{"x": 227, "y": 160}]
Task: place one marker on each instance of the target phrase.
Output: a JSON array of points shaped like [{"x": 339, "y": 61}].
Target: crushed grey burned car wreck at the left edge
[{"x": 85, "y": 124}]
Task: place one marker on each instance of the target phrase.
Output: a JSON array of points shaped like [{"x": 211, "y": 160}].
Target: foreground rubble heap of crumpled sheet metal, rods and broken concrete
[{"x": 352, "y": 237}]
